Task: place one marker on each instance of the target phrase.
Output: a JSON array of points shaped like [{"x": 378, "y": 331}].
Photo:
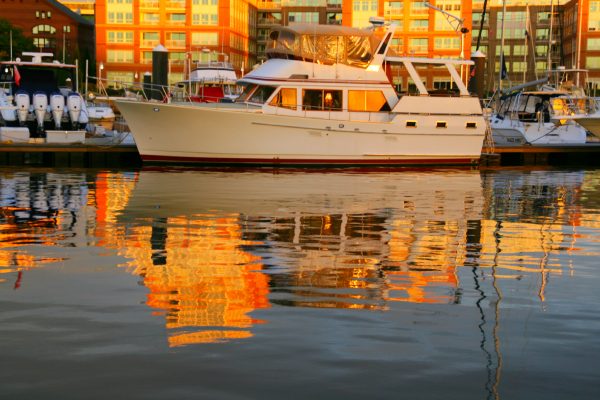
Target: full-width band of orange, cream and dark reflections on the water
[{"x": 213, "y": 247}]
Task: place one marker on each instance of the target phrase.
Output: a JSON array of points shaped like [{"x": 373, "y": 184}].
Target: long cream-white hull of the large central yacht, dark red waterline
[{"x": 229, "y": 134}]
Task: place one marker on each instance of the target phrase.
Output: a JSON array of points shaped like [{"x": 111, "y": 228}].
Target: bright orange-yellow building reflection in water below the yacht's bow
[{"x": 199, "y": 276}]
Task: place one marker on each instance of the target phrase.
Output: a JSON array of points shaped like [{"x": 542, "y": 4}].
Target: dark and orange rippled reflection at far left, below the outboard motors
[{"x": 36, "y": 209}]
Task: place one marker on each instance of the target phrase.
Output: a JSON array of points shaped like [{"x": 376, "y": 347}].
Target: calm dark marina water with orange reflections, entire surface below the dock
[{"x": 279, "y": 283}]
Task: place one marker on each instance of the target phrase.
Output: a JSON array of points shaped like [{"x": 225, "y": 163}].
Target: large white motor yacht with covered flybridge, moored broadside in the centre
[{"x": 322, "y": 97}]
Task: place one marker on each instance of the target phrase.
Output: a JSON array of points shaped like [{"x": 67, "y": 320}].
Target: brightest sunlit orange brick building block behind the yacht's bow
[{"x": 191, "y": 30}]
